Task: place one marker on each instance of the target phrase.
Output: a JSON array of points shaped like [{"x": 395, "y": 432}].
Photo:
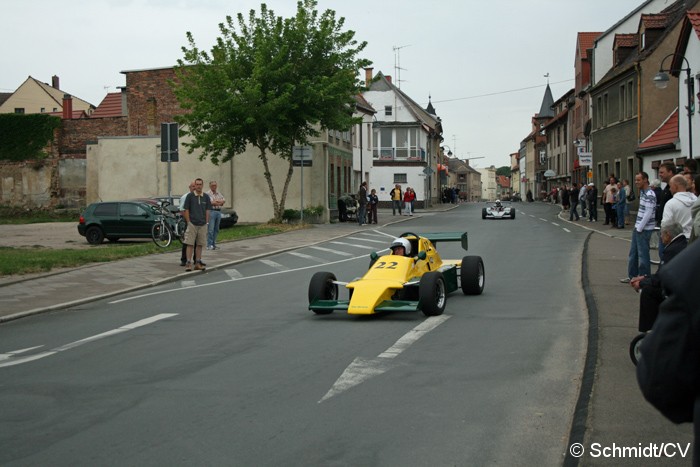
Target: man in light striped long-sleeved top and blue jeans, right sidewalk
[{"x": 639, "y": 262}]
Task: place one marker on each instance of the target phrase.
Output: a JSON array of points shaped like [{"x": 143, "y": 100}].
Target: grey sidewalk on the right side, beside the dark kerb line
[{"x": 612, "y": 410}]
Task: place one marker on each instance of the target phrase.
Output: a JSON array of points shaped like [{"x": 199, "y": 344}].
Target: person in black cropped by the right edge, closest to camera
[{"x": 668, "y": 372}]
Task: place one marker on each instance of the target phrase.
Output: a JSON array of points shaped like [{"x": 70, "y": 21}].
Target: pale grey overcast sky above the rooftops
[{"x": 483, "y": 62}]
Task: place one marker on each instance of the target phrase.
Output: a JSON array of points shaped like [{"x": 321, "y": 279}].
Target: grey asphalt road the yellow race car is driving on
[{"x": 230, "y": 368}]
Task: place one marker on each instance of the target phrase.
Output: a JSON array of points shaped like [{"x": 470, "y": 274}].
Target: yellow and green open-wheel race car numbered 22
[{"x": 412, "y": 277}]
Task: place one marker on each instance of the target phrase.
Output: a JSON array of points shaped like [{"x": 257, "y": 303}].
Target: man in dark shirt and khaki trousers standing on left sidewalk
[{"x": 197, "y": 211}]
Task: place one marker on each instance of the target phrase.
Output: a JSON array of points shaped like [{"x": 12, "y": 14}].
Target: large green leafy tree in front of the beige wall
[{"x": 269, "y": 82}]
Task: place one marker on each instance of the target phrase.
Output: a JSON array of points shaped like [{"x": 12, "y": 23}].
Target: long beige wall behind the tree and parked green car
[{"x": 130, "y": 167}]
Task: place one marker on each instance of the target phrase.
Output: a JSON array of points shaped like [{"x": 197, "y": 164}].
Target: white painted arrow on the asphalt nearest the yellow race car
[{"x": 362, "y": 369}]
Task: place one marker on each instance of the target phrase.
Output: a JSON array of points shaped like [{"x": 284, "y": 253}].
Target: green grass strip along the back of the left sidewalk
[{"x": 33, "y": 260}]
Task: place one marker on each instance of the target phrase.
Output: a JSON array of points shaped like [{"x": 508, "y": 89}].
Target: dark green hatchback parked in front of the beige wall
[{"x": 118, "y": 219}]
